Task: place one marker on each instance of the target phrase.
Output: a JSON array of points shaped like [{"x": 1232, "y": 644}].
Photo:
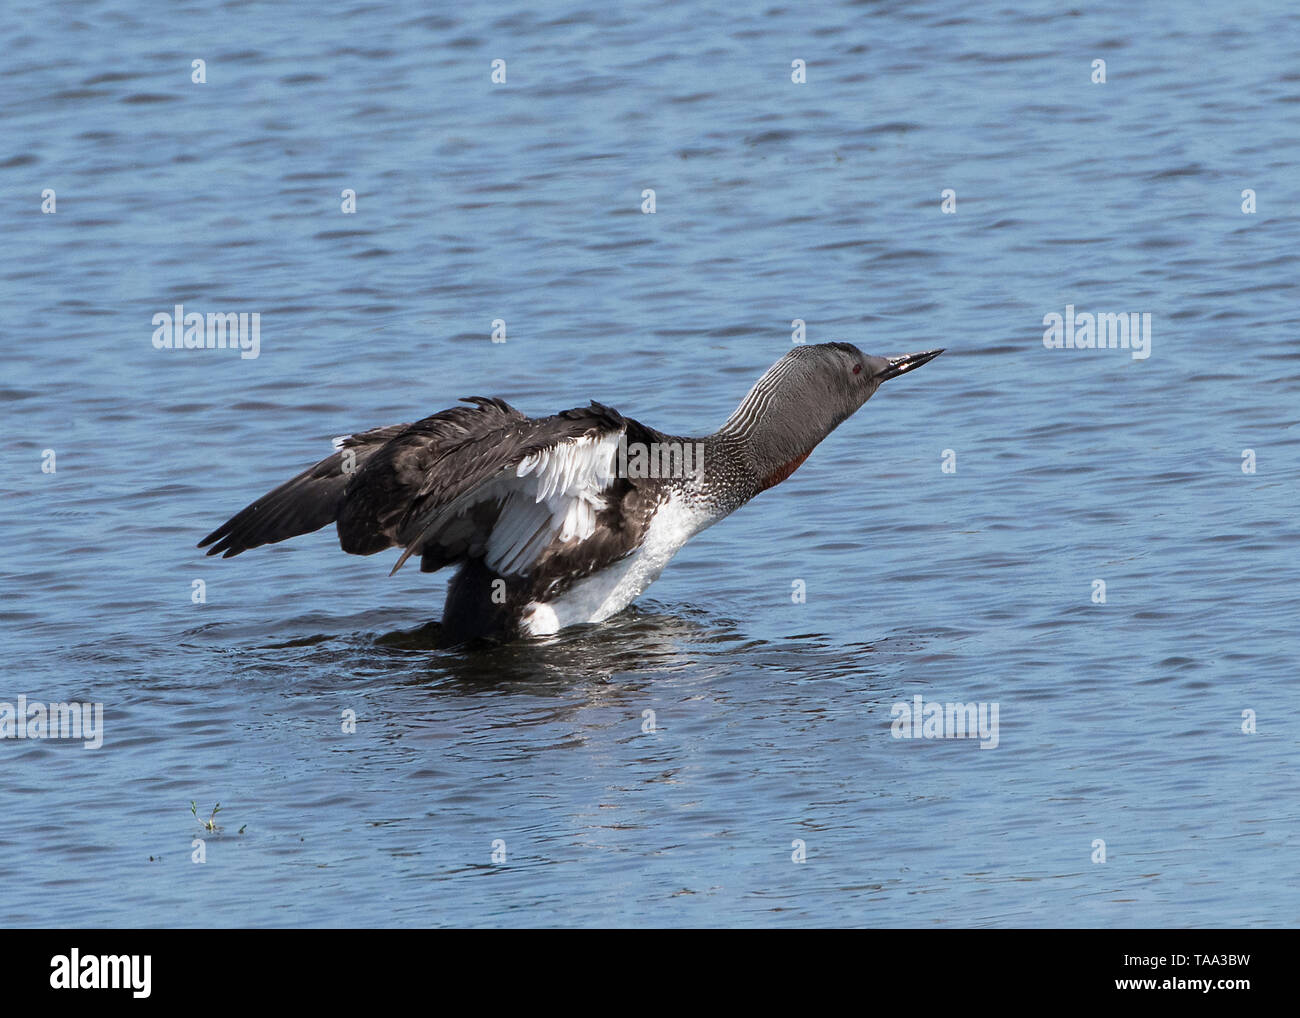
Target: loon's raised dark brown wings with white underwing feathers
[{"x": 482, "y": 480}]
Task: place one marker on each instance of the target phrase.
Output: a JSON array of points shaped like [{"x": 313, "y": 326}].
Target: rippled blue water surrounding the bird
[{"x": 775, "y": 202}]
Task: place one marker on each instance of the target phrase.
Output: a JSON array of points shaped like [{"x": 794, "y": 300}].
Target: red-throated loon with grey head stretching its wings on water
[{"x": 562, "y": 521}]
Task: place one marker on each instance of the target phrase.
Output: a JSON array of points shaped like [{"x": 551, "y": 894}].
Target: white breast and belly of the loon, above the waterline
[{"x": 609, "y": 592}]
